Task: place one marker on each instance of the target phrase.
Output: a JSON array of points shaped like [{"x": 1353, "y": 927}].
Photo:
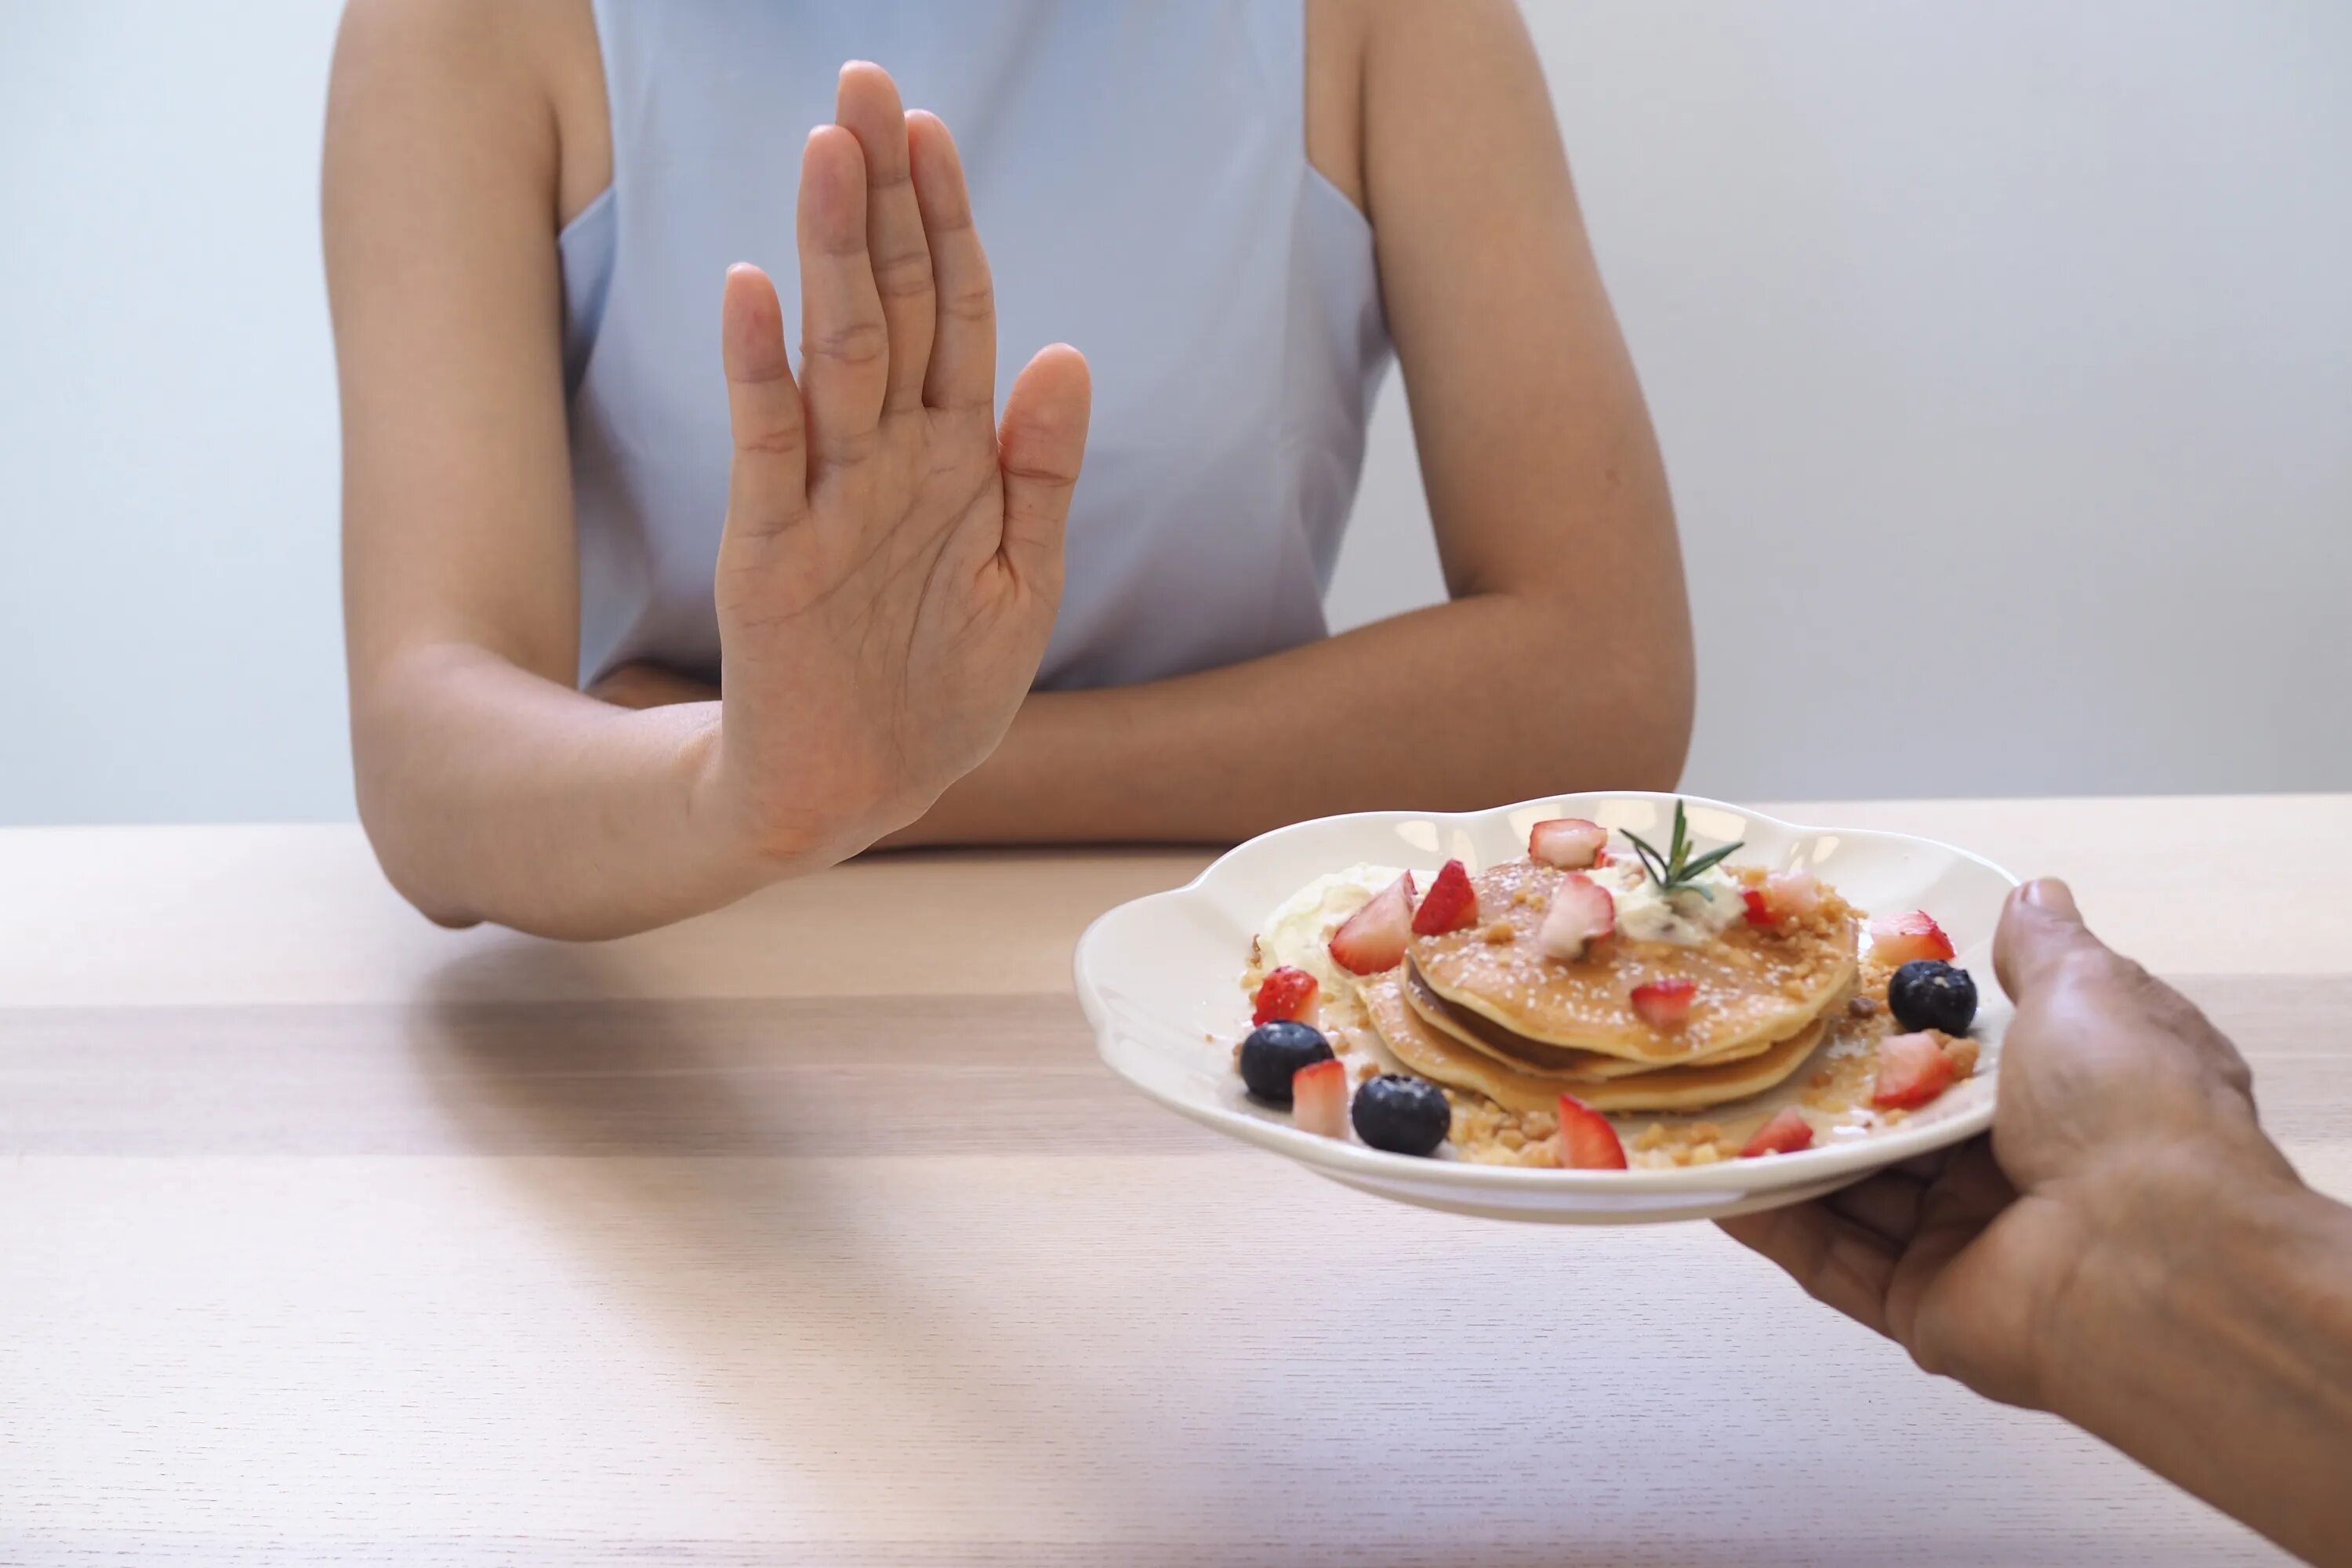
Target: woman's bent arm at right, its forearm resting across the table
[{"x": 1565, "y": 655}]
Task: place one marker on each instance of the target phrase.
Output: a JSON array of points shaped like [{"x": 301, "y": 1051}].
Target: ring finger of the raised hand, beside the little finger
[{"x": 843, "y": 342}]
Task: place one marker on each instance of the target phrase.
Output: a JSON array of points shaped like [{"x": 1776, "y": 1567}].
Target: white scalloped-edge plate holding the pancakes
[{"x": 1161, "y": 984}]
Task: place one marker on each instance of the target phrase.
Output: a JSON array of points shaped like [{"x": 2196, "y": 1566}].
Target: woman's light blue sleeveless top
[{"x": 1142, "y": 187}]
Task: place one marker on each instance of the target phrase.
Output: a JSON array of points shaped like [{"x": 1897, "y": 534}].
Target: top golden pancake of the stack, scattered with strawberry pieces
[{"x": 1756, "y": 984}]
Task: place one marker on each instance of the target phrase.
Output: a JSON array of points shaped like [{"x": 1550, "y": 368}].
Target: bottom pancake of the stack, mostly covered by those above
[{"x": 1448, "y": 1061}]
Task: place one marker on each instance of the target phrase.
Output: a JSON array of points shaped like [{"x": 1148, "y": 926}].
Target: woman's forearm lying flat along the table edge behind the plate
[{"x": 1424, "y": 711}]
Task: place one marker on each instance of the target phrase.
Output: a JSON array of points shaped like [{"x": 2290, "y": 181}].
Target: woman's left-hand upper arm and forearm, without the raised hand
[{"x": 488, "y": 786}]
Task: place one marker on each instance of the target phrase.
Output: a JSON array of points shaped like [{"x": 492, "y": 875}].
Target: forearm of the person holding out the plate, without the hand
[{"x": 2214, "y": 1346}]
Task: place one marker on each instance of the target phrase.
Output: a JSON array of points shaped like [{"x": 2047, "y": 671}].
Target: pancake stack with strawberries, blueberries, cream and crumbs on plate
[{"x": 1511, "y": 1012}]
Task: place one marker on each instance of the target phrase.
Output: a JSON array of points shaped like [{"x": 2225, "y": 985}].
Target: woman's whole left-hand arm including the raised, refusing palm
[{"x": 890, "y": 561}]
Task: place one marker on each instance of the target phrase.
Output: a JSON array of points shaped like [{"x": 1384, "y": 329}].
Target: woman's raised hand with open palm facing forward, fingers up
[{"x": 893, "y": 556}]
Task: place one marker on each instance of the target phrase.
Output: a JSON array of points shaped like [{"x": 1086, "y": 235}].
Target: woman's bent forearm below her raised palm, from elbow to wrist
[{"x": 493, "y": 793}]
